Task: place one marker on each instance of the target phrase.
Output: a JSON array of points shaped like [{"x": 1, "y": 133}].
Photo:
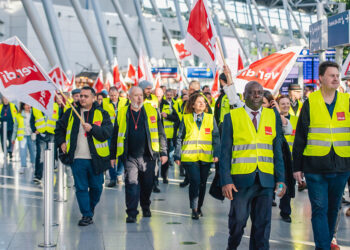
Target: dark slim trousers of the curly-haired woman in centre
[{"x": 197, "y": 173}]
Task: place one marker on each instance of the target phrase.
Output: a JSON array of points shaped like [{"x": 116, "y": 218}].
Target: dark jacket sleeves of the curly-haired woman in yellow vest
[{"x": 182, "y": 134}]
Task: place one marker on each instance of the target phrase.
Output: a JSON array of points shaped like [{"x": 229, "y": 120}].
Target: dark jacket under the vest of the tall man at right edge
[{"x": 330, "y": 163}]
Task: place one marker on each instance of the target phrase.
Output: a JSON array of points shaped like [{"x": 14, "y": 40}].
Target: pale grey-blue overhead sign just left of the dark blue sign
[{"x": 318, "y": 36}]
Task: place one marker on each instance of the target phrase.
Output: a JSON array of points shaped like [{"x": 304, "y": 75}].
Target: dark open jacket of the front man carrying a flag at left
[{"x": 101, "y": 133}]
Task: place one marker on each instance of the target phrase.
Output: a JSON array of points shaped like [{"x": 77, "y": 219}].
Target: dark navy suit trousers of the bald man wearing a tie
[{"x": 254, "y": 201}]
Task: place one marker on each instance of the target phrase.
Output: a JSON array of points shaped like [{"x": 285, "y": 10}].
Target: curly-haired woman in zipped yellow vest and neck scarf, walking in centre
[{"x": 197, "y": 147}]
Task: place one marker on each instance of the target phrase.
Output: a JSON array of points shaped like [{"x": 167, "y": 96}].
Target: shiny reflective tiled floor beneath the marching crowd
[{"x": 22, "y": 212}]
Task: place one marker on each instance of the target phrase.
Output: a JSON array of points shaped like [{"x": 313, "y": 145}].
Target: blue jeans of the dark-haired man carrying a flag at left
[{"x": 88, "y": 186}]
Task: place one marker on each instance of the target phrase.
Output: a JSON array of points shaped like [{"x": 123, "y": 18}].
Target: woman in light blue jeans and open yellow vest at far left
[{"x": 25, "y": 136}]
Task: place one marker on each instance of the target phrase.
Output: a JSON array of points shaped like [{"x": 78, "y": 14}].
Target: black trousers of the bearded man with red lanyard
[{"x": 139, "y": 176}]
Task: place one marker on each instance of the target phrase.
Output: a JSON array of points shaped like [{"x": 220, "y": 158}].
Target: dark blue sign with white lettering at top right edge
[{"x": 338, "y": 29}]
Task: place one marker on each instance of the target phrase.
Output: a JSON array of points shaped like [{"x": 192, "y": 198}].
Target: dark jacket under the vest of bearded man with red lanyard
[{"x": 154, "y": 155}]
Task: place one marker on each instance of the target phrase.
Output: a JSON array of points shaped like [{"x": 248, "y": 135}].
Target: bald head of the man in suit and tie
[{"x": 253, "y": 95}]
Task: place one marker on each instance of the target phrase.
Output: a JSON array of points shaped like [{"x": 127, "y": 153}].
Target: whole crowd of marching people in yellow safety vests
[{"x": 260, "y": 145}]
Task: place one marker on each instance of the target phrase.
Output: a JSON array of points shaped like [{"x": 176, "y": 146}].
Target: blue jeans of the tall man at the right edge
[{"x": 325, "y": 193}]
